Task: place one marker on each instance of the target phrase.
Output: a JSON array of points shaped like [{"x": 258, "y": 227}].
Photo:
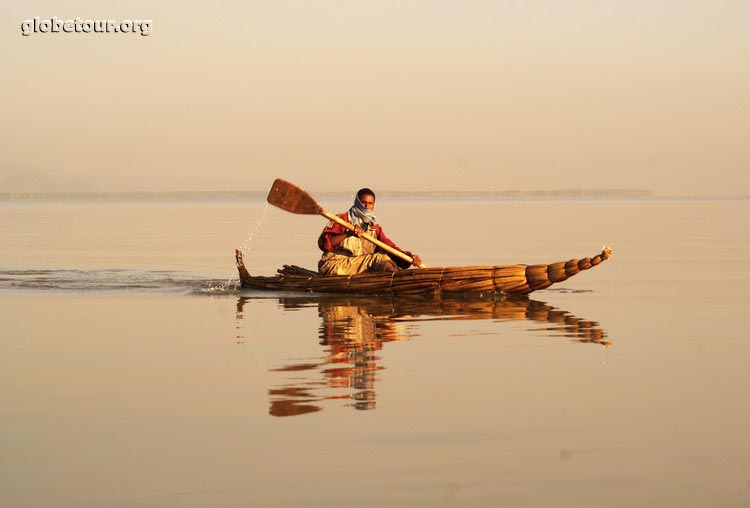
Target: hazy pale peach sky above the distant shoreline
[{"x": 405, "y": 94}]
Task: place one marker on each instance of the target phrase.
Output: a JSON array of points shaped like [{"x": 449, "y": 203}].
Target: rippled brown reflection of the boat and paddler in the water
[{"x": 354, "y": 328}]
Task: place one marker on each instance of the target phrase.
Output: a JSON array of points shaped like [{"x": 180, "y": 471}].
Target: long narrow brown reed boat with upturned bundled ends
[{"x": 501, "y": 279}]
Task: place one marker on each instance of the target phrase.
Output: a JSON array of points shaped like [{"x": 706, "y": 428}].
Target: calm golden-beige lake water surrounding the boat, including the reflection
[{"x": 133, "y": 372}]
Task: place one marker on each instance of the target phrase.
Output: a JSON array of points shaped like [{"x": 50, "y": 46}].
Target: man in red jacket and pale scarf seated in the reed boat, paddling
[{"x": 346, "y": 252}]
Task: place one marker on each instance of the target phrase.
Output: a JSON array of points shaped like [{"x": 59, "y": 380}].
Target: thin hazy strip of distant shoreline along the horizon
[{"x": 208, "y": 196}]
